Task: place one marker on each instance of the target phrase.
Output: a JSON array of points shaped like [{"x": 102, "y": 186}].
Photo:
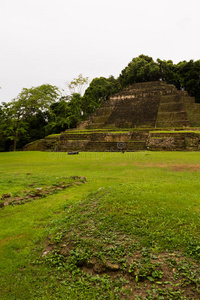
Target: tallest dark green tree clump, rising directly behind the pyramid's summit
[{"x": 184, "y": 75}]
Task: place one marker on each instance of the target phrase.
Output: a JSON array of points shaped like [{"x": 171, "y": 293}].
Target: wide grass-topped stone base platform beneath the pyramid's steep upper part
[{"x": 123, "y": 141}]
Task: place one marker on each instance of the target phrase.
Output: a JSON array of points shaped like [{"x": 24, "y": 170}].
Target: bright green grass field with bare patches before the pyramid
[{"x": 132, "y": 231}]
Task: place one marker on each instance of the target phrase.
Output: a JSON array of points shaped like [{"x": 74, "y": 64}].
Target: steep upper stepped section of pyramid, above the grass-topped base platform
[{"x": 149, "y": 104}]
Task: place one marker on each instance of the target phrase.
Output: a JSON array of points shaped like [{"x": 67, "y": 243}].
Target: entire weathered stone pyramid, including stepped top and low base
[{"x": 143, "y": 116}]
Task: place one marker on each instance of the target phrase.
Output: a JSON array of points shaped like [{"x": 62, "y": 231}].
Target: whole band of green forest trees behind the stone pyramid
[{"x": 43, "y": 110}]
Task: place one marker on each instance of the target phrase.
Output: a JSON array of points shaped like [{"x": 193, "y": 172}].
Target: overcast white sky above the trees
[{"x": 53, "y": 41}]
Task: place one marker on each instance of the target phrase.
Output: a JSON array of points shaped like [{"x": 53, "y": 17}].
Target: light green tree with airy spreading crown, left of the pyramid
[{"x": 28, "y": 103}]
